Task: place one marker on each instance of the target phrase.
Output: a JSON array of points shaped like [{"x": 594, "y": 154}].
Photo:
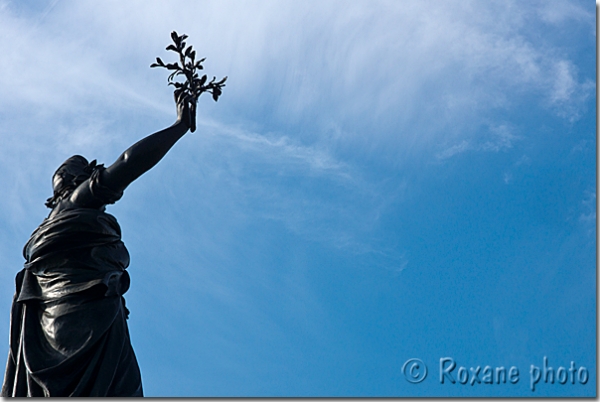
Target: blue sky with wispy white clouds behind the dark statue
[{"x": 380, "y": 181}]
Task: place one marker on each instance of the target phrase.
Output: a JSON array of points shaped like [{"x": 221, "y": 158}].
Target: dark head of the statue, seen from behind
[{"x": 68, "y": 176}]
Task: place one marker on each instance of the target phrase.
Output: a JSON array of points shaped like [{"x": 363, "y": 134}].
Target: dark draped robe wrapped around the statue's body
[{"x": 68, "y": 329}]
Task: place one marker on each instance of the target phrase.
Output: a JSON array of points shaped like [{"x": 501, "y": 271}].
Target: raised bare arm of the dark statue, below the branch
[{"x": 139, "y": 158}]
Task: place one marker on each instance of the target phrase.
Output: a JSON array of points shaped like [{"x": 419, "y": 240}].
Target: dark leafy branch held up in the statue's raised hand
[{"x": 194, "y": 85}]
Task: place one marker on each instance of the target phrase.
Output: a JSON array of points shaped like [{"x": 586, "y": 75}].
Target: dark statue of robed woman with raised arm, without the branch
[{"x": 68, "y": 328}]
